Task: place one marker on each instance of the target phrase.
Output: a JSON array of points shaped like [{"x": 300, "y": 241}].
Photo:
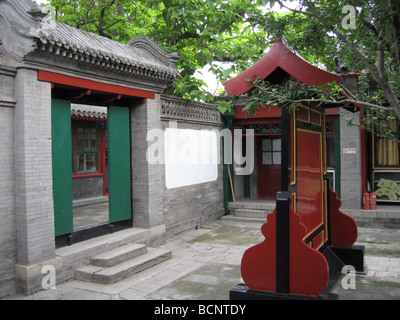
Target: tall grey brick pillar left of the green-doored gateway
[{"x": 33, "y": 178}]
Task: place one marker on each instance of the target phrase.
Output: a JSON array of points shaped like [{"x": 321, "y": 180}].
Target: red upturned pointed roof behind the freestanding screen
[{"x": 279, "y": 56}]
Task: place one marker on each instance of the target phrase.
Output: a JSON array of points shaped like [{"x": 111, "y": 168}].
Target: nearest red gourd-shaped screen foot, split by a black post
[{"x": 309, "y": 271}]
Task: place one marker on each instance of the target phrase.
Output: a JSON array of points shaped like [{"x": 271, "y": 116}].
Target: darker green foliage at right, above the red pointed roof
[{"x": 315, "y": 30}]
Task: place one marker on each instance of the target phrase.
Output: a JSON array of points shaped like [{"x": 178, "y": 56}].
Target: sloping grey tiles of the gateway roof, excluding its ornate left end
[{"x": 66, "y": 41}]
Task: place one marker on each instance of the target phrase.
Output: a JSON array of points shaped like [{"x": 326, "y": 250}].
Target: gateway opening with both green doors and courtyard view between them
[{"x": 91, "y": 162}]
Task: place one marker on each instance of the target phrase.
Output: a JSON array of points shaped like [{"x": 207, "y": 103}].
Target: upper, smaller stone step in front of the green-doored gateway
[{"x": 118, "y": 255}]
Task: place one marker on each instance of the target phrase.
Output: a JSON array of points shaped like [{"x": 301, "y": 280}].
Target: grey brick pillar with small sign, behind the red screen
[{"x": 351, "y": 183}]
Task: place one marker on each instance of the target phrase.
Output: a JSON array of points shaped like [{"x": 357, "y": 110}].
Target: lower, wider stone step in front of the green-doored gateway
[{"x": 109, "y": 275}]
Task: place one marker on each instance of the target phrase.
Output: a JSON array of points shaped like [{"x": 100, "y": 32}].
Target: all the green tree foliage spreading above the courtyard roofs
[{"x": 239, "y": 32}]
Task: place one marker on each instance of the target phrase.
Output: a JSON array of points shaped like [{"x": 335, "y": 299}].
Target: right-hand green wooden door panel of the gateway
[{"x": 119, "y": 164}]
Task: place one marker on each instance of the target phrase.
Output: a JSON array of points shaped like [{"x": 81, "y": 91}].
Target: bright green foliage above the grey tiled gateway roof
[{"x": 201, "y": 31}]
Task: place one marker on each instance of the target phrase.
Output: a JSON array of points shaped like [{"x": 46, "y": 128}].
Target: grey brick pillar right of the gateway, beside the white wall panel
[{"x": 147, "y": 184}]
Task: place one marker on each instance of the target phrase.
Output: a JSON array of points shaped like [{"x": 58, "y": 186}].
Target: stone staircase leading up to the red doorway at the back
[{"x": 251, "y": 210}]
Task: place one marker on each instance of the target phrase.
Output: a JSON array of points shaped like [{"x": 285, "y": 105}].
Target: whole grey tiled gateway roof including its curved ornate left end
[{"x": 30, "y": 30}]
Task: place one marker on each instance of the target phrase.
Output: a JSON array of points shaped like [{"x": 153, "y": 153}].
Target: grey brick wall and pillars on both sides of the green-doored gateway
[{"x": 26, "y": 198}]
